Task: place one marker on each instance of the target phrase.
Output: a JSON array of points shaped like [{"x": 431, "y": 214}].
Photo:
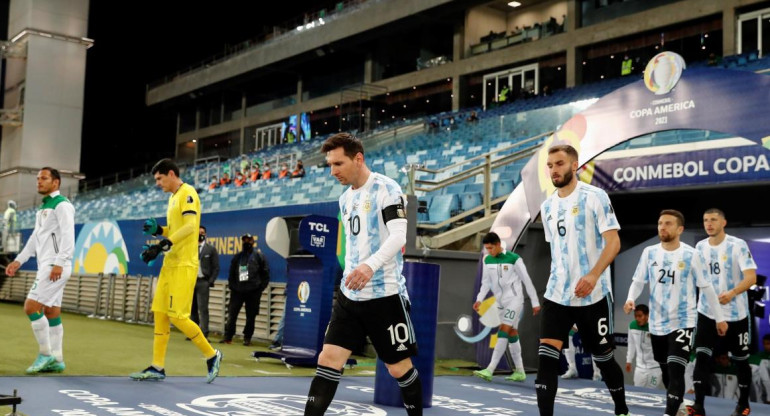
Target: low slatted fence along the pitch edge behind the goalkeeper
[{"x": 129, "y": 299}]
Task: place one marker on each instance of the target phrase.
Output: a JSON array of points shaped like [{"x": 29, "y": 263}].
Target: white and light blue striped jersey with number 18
[{"x": 725, "y": 263}]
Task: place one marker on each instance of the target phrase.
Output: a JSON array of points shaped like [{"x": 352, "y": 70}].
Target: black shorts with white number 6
[{"x": 594, "y": 323}]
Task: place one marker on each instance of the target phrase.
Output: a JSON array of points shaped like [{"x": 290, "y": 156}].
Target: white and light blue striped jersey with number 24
[{"x": 674, "y": 277}]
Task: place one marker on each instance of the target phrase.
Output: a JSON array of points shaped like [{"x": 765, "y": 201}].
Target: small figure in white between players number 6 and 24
[{"x": 647, "y": 373}]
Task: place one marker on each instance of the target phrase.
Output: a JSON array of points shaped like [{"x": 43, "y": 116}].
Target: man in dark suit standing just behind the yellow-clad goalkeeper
[{"x": 208, "y": 270}]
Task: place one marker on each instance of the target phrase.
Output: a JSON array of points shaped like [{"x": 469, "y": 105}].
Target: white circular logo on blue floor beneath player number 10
[{"x": 271, "y": 405}]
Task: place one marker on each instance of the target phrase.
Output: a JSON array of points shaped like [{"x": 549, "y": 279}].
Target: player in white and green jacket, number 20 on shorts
[{"x": 504, "y": 273}]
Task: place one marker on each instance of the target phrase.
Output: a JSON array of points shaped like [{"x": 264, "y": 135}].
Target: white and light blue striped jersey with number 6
[{"x": 574, "y": 227}]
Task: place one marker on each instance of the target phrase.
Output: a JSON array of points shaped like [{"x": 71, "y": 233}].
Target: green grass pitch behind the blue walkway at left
[{"x": 95, "y": 347}]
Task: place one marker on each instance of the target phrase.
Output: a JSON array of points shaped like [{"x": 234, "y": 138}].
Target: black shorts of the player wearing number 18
[{"x": 737, "y": 341}]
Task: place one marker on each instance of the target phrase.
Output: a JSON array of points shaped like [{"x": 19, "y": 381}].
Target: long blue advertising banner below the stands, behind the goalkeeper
[{"x": 110, "y": 246}]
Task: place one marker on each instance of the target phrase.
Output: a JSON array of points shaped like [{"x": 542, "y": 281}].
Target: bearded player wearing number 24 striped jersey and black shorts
[{"x": 675, "y": 272}]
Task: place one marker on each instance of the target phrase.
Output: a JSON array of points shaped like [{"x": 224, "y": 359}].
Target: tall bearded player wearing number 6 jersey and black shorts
[{"x": 579, "y": 222}]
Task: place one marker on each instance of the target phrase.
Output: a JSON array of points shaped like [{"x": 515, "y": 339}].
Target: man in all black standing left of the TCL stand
[{"x": 248, "y": 277}]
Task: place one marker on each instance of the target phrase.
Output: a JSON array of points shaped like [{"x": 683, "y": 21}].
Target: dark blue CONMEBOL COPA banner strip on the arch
[{"x": 704, "y": 167}]
